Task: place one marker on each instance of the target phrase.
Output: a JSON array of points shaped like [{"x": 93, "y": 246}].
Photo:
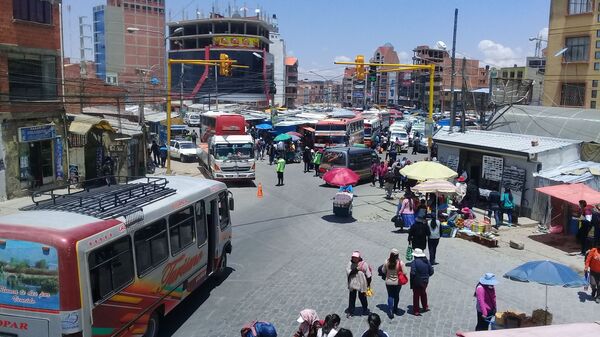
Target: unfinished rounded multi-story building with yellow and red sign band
[{"x": 243, "y": 39}]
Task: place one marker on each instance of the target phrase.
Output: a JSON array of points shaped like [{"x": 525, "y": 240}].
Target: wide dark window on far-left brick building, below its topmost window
[{"x": 31, "y": 77}]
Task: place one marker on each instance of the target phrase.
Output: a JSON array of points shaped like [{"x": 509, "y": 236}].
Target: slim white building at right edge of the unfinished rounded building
[{"x": 277, "y": 49}]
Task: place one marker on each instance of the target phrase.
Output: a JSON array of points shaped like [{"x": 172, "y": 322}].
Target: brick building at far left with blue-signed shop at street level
[{"x": 33, "y": 142}]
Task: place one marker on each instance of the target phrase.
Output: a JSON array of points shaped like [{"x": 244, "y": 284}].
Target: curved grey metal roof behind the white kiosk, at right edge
[{"x": 569, "y": 123}]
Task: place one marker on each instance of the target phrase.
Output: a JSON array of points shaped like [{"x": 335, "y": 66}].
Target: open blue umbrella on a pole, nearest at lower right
[{"x": 547, "y": 273}]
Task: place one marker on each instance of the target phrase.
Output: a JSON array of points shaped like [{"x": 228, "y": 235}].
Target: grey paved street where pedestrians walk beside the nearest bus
[{"x": 289, "y": 253}]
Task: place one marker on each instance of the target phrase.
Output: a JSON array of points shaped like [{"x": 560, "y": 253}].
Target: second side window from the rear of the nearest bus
[{"x": 151, "y": 246}]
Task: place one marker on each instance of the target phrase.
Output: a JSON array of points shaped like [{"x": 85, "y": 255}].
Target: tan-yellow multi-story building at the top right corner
[{"x": 573, "y": 67}]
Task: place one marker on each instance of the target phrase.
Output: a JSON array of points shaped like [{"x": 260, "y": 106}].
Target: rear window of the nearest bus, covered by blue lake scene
[{"x": 28, "y": 275}]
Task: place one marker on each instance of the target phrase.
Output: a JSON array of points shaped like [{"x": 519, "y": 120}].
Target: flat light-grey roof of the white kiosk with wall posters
[{"x": 502, "y": 141}]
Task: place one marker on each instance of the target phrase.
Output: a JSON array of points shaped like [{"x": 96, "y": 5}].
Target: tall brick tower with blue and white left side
[{"x": 129, "y": 41}]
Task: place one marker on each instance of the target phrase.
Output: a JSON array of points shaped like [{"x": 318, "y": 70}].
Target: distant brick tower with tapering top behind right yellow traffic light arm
[{"x": 383, "y": 90}]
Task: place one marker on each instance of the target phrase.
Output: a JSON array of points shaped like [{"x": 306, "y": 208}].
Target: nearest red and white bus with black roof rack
[{"x": 111, "y": 261}]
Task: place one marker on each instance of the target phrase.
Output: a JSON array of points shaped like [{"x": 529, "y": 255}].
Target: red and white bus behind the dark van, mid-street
[{"x": 339, "y": 132}]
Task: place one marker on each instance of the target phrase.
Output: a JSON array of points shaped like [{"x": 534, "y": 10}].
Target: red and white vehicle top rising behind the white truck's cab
[{"x": 221, "y": 124}]
